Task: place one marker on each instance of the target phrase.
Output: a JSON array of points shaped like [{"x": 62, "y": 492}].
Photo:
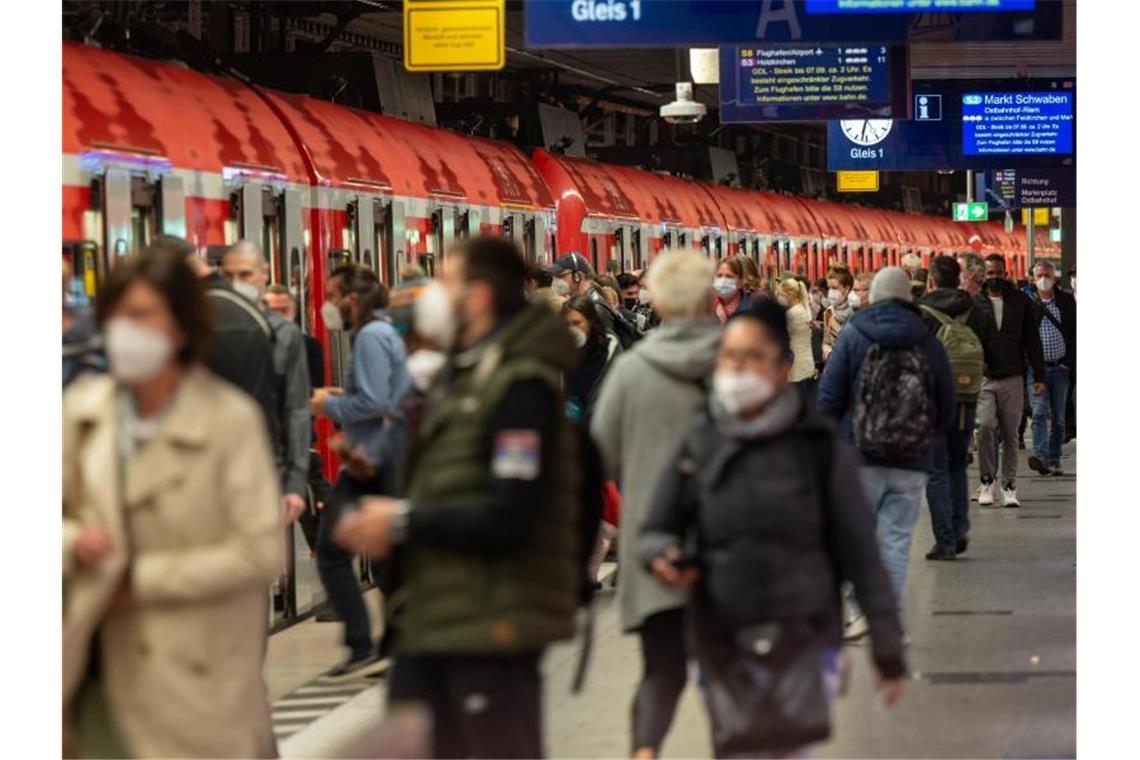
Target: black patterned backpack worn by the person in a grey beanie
[{"x": 895, "y": 412}]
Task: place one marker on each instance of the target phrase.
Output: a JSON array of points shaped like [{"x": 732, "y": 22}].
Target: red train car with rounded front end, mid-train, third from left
[{"x": 621, "y": 217}]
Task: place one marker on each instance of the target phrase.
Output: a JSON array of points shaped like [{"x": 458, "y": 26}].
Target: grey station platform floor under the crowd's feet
[{"x": 992, "y": 658}]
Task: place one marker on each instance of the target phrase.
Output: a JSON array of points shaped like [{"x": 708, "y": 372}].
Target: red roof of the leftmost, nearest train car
[{"x": 166, "y": 112}]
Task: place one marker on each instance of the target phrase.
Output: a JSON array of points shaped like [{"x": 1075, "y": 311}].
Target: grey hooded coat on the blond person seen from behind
[{"x": 644, "y": 412}]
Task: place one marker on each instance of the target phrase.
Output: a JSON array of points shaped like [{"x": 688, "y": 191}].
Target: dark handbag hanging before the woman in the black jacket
[{"x": 769, "y": 694}]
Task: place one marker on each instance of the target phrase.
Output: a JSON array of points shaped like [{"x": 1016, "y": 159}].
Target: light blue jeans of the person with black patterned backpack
[{"x": 894, "y": 495}]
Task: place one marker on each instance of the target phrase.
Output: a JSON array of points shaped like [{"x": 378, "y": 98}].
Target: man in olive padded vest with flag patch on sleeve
[{"x": 486, "y": 542}]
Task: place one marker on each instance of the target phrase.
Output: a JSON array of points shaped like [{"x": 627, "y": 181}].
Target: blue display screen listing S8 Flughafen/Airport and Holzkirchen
[{"x": 809, "y": 83}]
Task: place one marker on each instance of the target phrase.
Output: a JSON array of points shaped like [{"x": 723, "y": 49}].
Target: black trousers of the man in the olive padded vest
[{"x": 482, "y": 706}]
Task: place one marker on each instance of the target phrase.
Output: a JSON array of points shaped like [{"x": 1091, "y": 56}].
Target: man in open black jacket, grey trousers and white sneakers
[{"x": 1016, "y": 344}]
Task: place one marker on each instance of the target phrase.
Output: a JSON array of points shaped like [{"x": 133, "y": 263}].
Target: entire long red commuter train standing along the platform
[{"x": 154, "y": 148}]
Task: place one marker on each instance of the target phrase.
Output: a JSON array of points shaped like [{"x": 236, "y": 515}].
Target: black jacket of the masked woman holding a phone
[{"x": 777, "y": 526}]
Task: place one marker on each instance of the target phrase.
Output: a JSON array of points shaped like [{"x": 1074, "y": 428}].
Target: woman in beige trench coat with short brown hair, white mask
[{"x": 172, "y": 536}]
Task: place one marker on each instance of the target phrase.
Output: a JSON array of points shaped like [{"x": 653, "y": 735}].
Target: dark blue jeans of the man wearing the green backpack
[{"x": 948, "y": 489}]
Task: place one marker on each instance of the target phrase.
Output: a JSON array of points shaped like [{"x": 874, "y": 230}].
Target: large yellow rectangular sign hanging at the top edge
[{"x": 453, "y": 36}]
